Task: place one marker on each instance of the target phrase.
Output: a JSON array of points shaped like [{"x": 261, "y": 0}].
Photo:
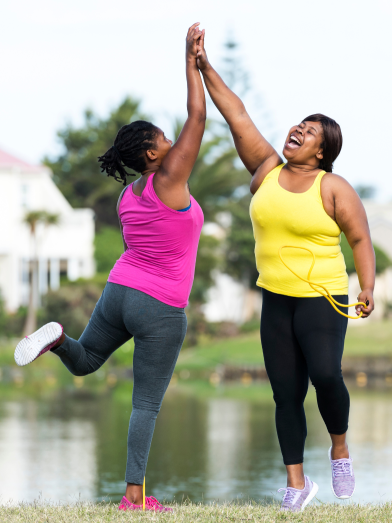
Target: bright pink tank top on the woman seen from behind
[{"x": 162, "y": 246}]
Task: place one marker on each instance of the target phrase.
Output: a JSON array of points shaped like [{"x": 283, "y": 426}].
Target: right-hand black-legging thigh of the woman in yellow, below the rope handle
[{"x": 321, "y": 332}]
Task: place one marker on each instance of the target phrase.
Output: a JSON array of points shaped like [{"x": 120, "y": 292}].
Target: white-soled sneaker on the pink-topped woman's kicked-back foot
[{"x": 38, "y": 343}]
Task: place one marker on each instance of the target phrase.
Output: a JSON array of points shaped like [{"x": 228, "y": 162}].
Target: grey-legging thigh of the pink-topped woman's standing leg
[{"x": 159, "y": 331}]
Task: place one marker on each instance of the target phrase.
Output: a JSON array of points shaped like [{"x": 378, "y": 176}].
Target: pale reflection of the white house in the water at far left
[{"x": 57, "y": 457}]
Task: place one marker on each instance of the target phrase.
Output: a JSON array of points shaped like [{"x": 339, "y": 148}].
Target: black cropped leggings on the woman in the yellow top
[{"x": 302, "y": 338}]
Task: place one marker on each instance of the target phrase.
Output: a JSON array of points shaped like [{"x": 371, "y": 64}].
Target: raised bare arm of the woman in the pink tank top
[{"x": 178, "y": 163}]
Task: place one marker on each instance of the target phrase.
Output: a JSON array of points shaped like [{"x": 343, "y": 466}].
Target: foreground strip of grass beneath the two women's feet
[{"x": 197, "y": 513}]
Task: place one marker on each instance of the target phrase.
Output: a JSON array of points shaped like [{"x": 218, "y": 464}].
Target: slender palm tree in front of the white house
[{"x": 32, "y": 219}]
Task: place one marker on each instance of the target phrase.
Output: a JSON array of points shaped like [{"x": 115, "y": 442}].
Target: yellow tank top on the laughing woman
[{"x": 279, "y": 218}]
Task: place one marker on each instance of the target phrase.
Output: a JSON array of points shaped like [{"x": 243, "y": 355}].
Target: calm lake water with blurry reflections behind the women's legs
[{"x": 209, "y": 444}]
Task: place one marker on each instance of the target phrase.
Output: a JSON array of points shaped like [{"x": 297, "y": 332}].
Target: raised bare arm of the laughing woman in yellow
[{"x": 258, "y": 155}]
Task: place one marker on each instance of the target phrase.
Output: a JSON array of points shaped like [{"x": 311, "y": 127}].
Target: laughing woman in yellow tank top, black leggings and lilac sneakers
[{"x": 303, "y": 205}]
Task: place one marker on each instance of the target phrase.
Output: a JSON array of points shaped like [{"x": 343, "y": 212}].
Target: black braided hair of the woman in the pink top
[{"x": 129, "y": 148}]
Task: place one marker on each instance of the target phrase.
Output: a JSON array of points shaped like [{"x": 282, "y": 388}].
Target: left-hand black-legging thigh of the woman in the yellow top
[{"x": 284, "y": 361}]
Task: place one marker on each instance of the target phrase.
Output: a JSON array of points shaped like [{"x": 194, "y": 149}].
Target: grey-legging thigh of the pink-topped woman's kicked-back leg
[{"x": 106, "y": 330}]
